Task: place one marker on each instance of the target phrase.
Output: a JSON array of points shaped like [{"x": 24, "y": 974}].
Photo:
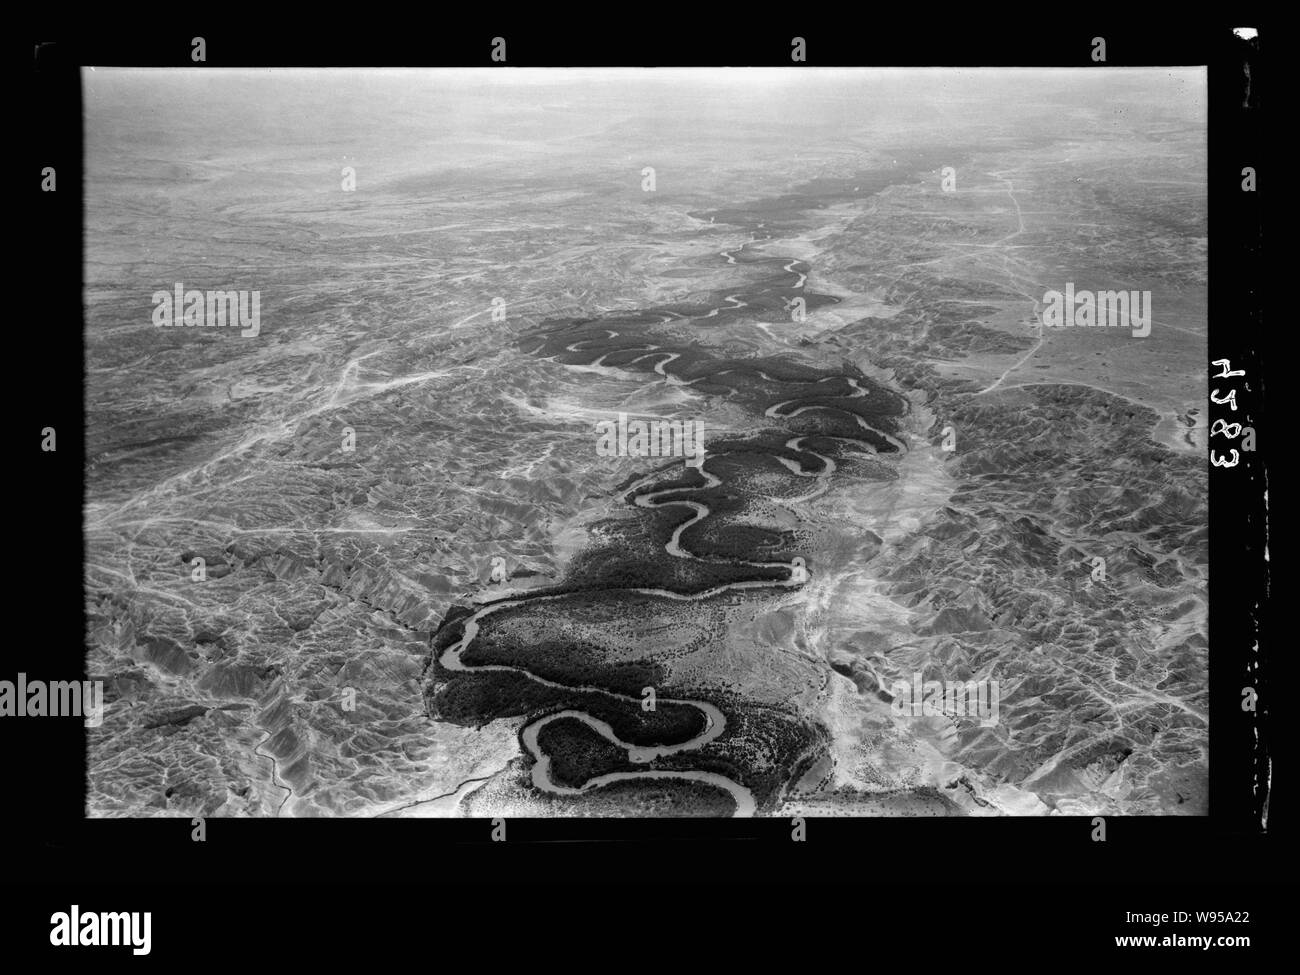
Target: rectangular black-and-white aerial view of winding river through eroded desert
[{"x": 647, "y": 443}]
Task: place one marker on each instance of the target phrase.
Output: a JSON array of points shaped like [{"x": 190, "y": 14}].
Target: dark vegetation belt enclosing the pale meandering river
[{"x": 694, "y": 536}]
